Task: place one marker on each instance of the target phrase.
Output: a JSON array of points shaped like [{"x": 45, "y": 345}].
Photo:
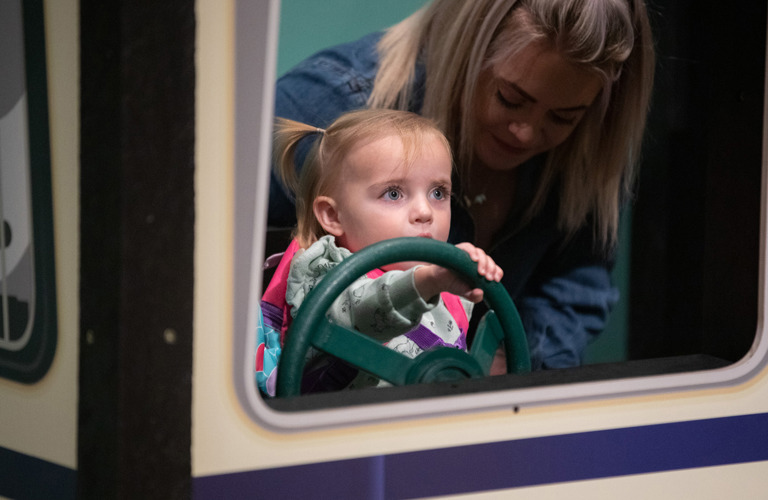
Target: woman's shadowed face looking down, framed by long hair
[{"x": 527, "y": 104}]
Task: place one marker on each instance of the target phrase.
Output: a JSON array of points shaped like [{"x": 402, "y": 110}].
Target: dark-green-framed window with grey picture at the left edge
[{"x": 27, "y": 280}]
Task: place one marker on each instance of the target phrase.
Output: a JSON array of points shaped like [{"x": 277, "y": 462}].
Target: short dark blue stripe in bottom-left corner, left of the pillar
[{"x": 30, "y": 478}]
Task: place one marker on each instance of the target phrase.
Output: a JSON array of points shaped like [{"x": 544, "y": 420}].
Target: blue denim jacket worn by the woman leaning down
[{"x": 561, "y": 286}]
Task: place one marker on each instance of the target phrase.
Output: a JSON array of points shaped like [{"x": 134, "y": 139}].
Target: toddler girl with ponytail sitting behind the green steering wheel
[{"x": 371, "y": 176}]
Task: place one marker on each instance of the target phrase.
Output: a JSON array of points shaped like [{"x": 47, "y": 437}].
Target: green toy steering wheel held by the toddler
[{"x": 312, "y": 328}]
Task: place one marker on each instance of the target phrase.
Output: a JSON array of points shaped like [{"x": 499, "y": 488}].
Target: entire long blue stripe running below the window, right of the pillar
[{"x": 507, "y": 464}]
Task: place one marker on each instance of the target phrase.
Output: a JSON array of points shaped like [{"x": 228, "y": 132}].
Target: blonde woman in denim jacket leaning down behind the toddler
[{"x": 544, "y": 103}]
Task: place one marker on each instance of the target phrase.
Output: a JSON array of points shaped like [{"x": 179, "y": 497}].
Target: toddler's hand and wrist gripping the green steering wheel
[{"x": 432, "y": 279}]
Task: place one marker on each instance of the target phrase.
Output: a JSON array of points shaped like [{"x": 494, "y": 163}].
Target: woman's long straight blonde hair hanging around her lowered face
[{"x": 456, "y": 40}]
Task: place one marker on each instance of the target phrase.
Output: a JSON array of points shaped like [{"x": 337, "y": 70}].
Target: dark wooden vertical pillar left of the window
[{"x": 137, "y": 223}]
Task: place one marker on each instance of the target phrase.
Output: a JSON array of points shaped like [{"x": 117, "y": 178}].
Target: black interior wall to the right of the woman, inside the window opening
[{"x": 696, "y": 220}]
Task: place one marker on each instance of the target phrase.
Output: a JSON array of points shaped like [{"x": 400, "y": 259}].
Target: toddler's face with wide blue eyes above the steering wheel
[{"x": 379, "y": 197}]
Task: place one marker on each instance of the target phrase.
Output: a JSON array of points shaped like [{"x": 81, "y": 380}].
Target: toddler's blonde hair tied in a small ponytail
[{"x": 321, "y": 168}]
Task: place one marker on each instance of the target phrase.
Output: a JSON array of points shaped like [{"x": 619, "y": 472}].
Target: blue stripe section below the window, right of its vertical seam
[{"x": 589, "y": 455}]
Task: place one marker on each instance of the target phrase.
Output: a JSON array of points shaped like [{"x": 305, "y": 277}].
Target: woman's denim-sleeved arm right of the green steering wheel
[{"x": 563, "y": 291}]
